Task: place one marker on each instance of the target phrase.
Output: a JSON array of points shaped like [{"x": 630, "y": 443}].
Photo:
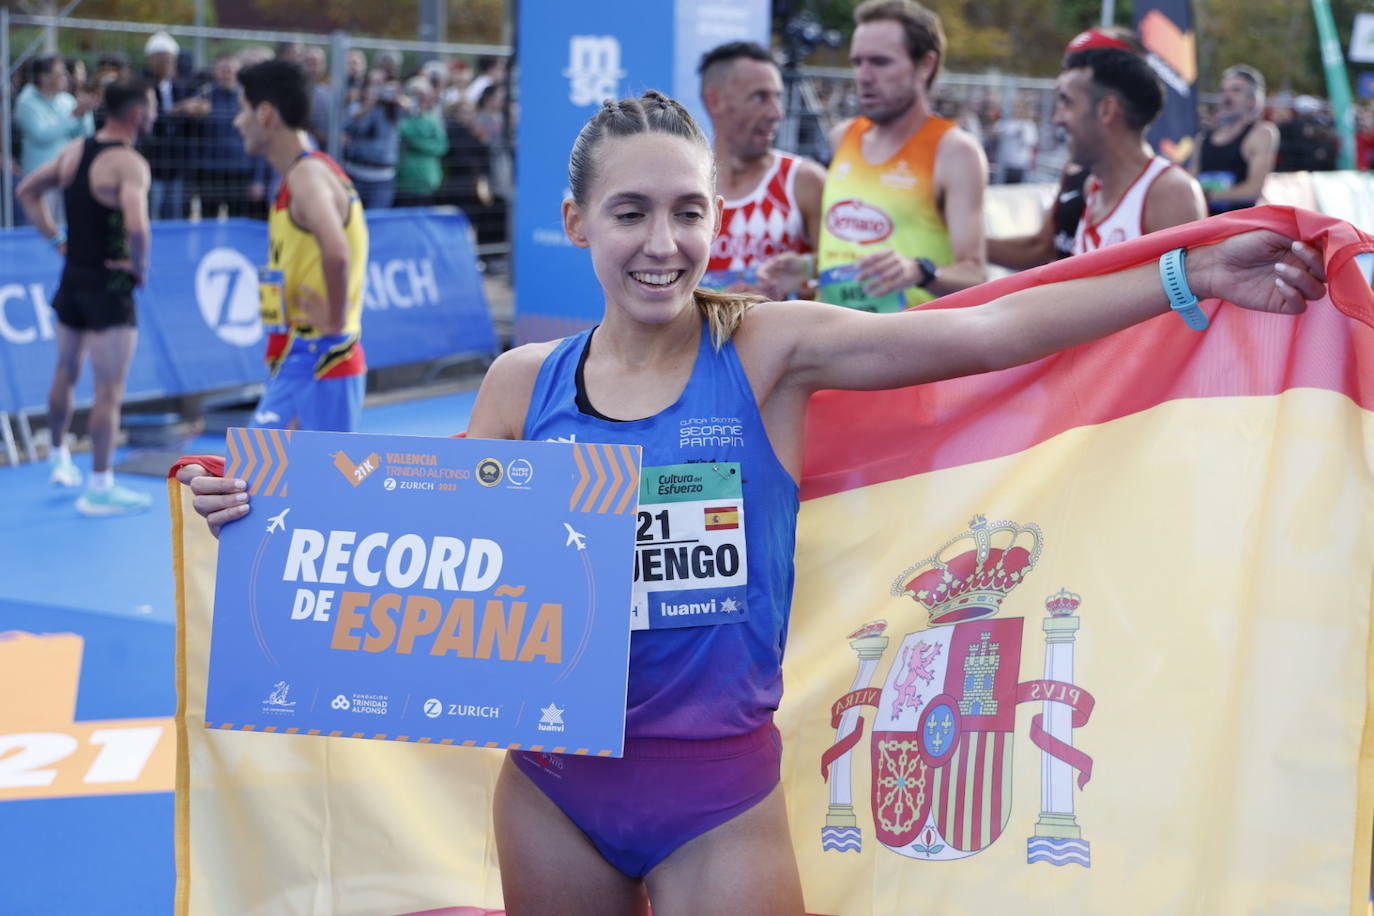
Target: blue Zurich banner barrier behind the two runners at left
[{"x": 199, "y": 315}]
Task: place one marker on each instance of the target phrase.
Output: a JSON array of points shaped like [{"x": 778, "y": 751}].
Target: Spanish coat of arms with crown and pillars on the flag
[{"x": 945, "y": 718}]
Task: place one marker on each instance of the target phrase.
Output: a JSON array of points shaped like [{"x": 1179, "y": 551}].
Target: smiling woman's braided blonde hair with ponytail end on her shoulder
[{"x": 655, "y": 112}]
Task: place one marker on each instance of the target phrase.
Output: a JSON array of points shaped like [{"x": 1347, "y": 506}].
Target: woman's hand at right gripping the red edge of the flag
[{"x": 1262, "y": 271}]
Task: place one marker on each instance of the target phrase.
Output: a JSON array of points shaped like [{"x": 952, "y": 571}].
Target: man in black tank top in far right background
[{"x": 1233, "y": 161}]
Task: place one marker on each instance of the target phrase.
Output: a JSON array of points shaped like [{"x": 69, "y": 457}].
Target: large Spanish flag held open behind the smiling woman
[{"x": 1085, "y": 637}]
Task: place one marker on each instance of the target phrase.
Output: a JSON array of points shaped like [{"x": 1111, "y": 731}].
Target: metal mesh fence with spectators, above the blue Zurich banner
[{"x": 368, "y": 95}]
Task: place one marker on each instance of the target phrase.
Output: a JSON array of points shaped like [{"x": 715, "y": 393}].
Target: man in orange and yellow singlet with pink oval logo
[{"x": 902, "y": 215}]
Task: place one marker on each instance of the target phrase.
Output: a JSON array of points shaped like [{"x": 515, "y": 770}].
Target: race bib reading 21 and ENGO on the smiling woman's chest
[{"x": 690, "y": 557}]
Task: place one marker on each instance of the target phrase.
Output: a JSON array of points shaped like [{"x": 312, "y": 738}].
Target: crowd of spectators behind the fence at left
[{"x": 432, "y": 134}]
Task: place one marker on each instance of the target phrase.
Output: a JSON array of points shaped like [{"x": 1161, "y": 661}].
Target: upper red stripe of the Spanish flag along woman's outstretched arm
[{"x": 906, "y": 432}]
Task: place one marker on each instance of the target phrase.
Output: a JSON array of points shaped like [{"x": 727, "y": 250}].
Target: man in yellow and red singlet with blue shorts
[{"x": 313, "y": 285}]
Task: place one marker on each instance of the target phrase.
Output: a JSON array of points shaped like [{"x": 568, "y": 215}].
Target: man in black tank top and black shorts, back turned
[{"x": 105, "y": 186}]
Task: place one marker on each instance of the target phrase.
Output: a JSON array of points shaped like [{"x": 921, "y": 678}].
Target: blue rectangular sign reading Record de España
[{"x": 465, "y": 593}]
